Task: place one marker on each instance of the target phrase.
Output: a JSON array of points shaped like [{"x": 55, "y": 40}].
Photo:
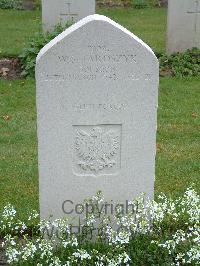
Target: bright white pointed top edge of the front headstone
[{"x": 83, "y": 22}]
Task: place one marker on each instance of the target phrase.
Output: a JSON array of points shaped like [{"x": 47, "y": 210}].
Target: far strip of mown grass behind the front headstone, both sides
[{"x": 17, "y": 27}]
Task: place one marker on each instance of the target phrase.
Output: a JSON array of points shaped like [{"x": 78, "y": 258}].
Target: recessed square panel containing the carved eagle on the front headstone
[{"x": 97, "y": 149}]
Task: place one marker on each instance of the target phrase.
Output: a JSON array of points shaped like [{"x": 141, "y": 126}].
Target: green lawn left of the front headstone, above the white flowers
[{"x": 18, "y": 147}]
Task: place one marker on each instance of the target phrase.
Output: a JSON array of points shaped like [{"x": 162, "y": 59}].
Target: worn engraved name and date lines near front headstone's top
[{"x": 99, "y": 63}]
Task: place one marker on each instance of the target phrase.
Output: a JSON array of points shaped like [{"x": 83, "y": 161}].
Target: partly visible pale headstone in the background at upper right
[{"x": 183, "y": 25}]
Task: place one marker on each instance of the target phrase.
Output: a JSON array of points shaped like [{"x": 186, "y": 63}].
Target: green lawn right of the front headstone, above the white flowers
[{"x": 178, "y": 155}]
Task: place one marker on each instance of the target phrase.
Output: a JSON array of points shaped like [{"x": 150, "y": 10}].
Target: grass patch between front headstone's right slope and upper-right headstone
[{"x": 148, "y": 24}]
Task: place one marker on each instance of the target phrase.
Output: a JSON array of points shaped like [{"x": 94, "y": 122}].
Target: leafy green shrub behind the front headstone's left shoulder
[{"x": 29, "y": 53}]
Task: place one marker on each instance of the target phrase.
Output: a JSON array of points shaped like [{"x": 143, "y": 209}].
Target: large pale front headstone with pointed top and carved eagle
[{"x": 97, "y": 87}]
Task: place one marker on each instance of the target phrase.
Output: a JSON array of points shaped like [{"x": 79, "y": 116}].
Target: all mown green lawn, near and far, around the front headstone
[{"x": 178, "y": 145}]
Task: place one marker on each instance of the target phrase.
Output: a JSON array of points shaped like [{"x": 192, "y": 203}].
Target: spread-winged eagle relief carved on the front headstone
[{"x": 97, "y": 149}]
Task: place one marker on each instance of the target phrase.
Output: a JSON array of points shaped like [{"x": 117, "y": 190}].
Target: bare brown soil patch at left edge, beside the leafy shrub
[{"x": 10, "y": 68}]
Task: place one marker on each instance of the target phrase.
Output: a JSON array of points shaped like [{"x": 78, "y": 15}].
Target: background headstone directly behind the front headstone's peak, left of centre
[{"x": 65, "y": 11}]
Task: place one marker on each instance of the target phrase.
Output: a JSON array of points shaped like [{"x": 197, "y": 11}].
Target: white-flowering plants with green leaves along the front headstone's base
[{"x": 162, "y": 232}]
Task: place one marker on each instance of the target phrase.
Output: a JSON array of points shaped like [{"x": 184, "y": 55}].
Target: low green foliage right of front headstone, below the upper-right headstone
[{"x": 181, "y": 64}]
